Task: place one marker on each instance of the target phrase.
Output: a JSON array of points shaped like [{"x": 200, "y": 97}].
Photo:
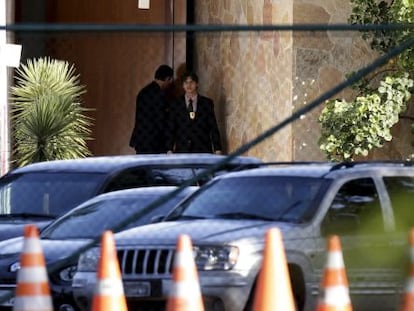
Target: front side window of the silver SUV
[{"x": 355, "y": 208}]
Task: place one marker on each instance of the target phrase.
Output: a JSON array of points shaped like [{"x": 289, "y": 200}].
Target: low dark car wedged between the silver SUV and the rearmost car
[{"x": 63, "y": 239}]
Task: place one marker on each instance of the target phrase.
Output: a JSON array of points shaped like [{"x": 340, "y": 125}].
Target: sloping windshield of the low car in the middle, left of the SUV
[{"x": 91, "y": 220}]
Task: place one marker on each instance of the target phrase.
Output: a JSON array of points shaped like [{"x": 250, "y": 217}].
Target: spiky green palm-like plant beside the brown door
[{"x": 48, "y": 121}]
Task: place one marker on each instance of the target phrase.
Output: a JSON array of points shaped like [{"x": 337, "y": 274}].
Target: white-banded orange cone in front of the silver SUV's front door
[{"x": 334, "y": 288}]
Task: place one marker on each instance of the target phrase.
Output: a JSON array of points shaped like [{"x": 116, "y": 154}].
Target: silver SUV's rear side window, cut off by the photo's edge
[{"x": 401, "y": 192}]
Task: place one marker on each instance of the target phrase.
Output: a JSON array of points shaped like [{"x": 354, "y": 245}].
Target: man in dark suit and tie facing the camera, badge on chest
[{"x": 192, "y": 125}]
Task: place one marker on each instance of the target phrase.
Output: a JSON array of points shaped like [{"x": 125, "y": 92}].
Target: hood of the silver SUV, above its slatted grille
[{"x": 206, "y": 231}]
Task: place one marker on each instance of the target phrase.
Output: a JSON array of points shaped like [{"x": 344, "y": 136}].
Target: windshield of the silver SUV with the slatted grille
[{"x": 272, "y": 198}]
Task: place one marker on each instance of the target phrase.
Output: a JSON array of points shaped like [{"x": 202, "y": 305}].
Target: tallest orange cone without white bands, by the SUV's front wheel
[{"x": 274, "y": 290}]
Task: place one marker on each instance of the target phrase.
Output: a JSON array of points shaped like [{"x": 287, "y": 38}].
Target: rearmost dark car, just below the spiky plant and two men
[{"x": 40, "y": 192}]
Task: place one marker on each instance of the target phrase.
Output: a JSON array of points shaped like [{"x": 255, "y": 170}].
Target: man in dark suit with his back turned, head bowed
[{"x": 148, "y": 135}]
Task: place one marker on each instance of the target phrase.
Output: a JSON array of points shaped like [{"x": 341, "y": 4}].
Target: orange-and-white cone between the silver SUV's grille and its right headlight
[{"x": 185, "y": 293}]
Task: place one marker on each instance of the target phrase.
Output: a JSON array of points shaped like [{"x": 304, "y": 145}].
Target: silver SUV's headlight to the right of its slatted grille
[{"x": 216, "y": 257}]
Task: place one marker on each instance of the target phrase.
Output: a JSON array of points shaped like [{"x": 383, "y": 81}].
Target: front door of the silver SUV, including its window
[{"x": 356, "y": 215}]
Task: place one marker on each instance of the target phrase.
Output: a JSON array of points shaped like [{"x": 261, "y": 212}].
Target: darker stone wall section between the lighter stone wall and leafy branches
[{"x": 322, "y": 59}]
